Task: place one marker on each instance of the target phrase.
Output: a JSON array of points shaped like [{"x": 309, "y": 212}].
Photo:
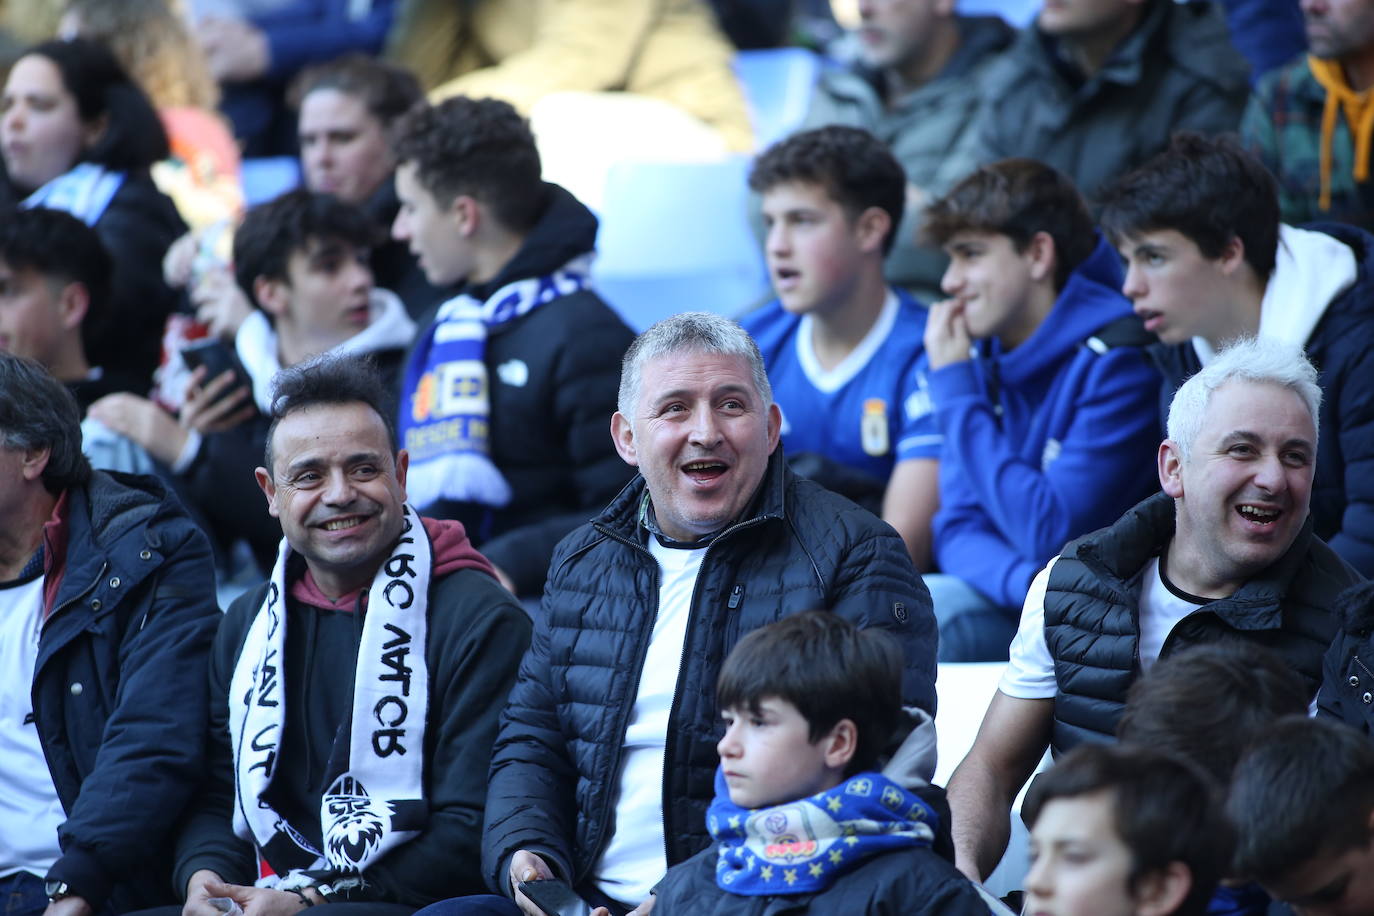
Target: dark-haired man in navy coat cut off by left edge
[{"x": 106, "y": 615}]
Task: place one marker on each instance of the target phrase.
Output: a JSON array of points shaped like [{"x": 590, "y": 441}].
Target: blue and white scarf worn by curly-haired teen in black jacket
[{"x": 446, "y": 404}]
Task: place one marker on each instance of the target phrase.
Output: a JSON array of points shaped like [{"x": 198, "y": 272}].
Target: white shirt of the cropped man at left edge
[{"x": 30, "y": 808}]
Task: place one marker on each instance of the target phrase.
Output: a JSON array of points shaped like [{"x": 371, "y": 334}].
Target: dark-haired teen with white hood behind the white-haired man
[{"x": 1210, "y": 262}]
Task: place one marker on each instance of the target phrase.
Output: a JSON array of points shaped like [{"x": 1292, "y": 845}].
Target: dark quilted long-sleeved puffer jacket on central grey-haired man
[{"x": 800, "y": 547}]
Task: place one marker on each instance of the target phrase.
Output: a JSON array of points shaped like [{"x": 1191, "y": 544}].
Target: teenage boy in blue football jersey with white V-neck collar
[{"x": 842, "y": 347}]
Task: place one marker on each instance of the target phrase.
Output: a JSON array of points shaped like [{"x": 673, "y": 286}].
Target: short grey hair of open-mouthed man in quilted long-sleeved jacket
[{"x": 696, "y": 333}]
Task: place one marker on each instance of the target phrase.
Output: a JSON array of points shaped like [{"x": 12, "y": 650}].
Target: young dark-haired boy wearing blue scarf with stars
[{"x": 802, "y": 812}]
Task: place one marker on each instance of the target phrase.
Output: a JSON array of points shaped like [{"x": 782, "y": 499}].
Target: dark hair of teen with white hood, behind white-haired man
[{"x": 1207, "y": 189}]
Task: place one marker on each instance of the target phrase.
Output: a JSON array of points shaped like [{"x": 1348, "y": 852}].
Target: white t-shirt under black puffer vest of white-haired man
[{"x": 1030, "y": 674}]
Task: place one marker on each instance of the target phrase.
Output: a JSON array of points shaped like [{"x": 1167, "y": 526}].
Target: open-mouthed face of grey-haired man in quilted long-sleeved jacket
[{"x": 701, "y": 436}]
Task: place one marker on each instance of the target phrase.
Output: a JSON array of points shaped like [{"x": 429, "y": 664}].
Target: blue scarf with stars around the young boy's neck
[{"x": 800, "y": 848}]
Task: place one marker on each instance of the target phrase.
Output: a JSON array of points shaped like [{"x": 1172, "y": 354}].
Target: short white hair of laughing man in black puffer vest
[{"x": 1243, "y": 360}]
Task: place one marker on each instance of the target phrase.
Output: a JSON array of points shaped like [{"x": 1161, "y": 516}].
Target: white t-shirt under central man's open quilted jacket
[{"x": 637, "y": 859}]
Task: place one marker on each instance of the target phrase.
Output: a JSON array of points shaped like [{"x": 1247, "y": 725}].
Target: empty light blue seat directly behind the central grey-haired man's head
[{"x": 675, "y": 238}]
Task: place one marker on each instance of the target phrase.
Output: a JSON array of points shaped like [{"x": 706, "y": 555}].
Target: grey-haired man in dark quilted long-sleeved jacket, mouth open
[{"x": 604, "y": 764}]
